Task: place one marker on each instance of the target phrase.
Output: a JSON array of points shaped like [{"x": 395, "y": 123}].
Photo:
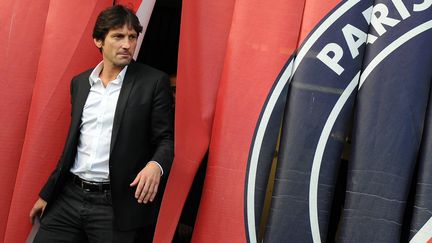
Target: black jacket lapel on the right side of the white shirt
[{"x": 122, "y": 101}]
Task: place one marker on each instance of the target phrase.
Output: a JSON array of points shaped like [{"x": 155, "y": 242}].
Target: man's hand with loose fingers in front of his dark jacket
[{"x": 147, "y": 182}]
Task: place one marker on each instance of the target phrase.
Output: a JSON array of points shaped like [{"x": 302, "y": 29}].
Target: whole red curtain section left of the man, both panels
[{"x": 48, "y": 43}]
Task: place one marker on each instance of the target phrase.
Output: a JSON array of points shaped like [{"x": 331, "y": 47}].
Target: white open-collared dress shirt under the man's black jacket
[{"x": 92, "y": 158}]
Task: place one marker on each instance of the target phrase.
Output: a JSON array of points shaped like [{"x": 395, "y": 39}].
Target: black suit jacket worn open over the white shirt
[{"x": 142, "y": 131}]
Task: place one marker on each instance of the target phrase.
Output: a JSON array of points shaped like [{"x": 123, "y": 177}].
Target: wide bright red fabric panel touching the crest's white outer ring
[{"x": 263, "y": 36}]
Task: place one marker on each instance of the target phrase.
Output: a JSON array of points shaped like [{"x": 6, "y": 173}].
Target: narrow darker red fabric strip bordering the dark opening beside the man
[{"x": 204, "y": 32}]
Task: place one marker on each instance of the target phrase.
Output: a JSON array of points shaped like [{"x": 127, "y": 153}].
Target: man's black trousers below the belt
[{"x": 79, "y": 216}]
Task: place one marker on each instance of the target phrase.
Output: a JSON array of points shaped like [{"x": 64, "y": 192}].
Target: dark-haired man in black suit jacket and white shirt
[{"x": 107, "y": 185}]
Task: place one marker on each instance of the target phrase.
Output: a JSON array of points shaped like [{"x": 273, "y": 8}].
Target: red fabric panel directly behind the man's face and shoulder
[{"x": 67, "y": 49}]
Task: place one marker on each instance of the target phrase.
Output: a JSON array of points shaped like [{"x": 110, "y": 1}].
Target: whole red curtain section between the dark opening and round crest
[{"x": 231, "y": 52}]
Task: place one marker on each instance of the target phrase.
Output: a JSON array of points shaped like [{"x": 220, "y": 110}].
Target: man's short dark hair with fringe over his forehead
[{"x": 115, "y": 17}]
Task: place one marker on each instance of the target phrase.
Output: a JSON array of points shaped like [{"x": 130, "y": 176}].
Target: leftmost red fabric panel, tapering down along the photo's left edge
[{"x": 22, "y": 26}]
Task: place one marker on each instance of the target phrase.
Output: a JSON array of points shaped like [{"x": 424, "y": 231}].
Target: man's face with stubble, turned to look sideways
[{"x": 118, "y": 47}]
